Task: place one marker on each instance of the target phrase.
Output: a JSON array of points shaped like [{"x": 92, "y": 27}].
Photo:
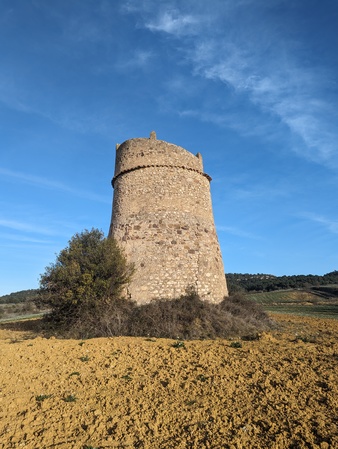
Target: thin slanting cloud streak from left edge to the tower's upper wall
[{"x": 53, "y": 185}]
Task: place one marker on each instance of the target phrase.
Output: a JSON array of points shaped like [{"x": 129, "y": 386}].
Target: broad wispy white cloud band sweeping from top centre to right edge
[{"x": 252, "y": 57}]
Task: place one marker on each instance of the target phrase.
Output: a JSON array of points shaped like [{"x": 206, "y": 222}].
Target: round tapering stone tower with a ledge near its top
[{"x": 162, "y": 218}]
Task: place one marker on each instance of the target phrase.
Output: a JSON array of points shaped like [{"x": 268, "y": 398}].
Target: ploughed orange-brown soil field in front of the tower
[{"x": 280, "y": 391}]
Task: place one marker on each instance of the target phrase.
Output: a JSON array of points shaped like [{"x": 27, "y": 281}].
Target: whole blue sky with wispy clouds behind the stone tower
[{"x": 251, "y": 84}]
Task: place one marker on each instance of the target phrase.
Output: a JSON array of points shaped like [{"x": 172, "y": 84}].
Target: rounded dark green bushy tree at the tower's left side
[{"x": 88, "y": 275}]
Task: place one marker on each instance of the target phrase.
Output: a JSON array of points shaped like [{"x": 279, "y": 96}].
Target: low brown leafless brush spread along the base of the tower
[{"x": 187, "y": 317}]
